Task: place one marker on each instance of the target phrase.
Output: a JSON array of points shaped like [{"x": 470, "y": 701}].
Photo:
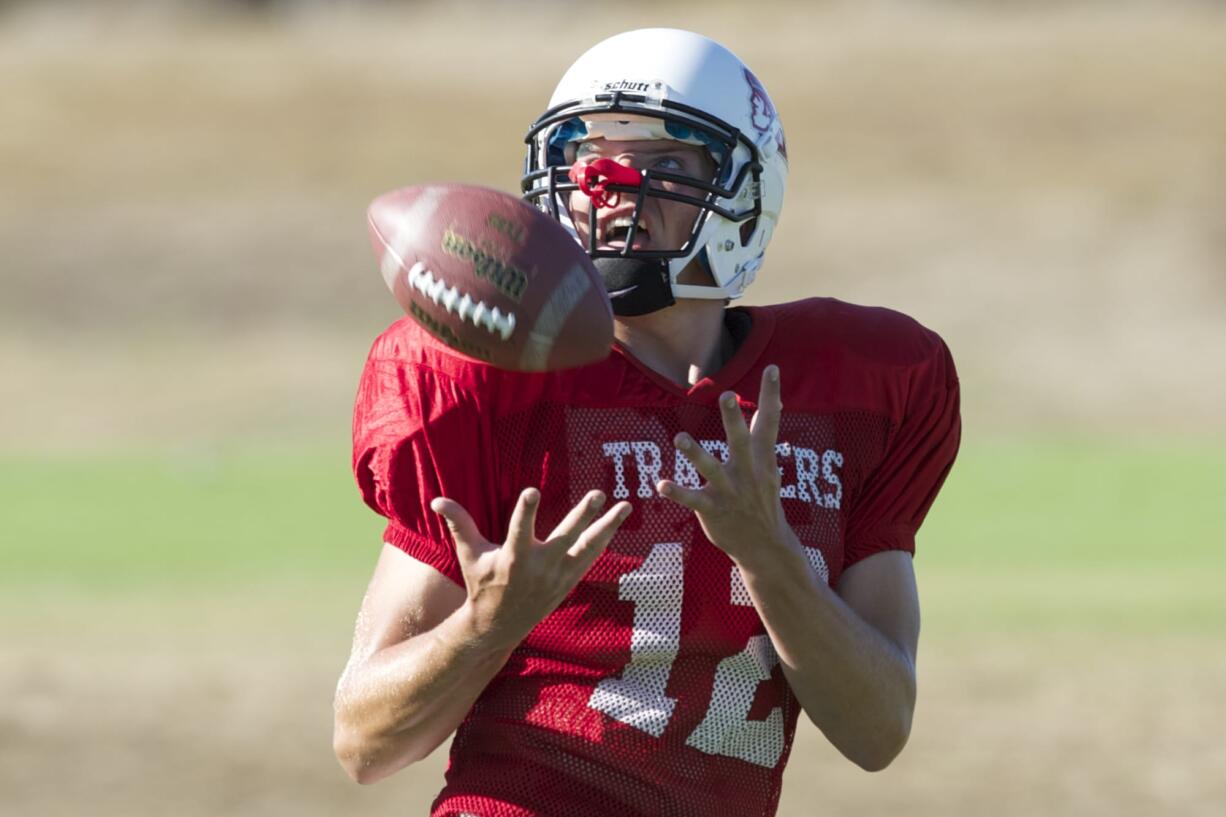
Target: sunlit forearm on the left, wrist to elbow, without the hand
[{"x": 399, "y": 705}]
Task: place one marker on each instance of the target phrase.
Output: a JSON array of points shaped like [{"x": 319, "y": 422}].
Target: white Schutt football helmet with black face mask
[{"x": 670, "y": 84}]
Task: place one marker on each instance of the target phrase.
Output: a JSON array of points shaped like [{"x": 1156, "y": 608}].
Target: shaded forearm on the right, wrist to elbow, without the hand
[{"x": 858, "y": 686}]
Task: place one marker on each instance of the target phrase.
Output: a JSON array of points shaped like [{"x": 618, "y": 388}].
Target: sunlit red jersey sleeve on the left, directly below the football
[{"x": 419, "y": 435}]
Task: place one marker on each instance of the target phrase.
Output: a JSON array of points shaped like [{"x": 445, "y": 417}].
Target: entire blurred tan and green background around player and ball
[{"x": 188, "y": 297}]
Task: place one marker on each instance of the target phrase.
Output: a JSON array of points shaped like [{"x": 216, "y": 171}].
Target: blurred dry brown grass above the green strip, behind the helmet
[{"x": 1045, "y": 188}]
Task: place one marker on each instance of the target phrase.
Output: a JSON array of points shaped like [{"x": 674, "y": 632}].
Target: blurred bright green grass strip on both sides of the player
[{"x": 1077, "y": 522}]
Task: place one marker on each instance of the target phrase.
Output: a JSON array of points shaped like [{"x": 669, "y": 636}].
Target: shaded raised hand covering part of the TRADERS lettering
[{"x": 740, "y": 506}]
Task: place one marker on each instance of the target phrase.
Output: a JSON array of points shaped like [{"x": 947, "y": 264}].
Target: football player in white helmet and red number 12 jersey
[{"x": 616, "y": 592}]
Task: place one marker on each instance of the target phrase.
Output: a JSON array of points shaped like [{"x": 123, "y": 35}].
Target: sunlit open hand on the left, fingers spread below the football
[{"x": 514, "y": 586}]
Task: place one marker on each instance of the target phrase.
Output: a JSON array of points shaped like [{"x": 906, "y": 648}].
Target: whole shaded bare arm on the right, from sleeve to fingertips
[{"x": 848, "y": 656}]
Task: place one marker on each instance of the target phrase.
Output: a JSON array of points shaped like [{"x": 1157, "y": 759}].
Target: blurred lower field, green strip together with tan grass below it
[{"x": 172, "y": 626}]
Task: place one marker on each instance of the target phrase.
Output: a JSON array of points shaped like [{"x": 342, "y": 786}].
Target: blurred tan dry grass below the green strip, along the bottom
[{"x": 147, "y": 708}]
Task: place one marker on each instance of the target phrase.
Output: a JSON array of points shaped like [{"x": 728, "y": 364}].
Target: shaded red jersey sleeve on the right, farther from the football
[{"x": 919, "y": 456}]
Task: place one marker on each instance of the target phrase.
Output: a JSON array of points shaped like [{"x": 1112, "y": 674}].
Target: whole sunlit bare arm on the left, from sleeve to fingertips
[{"x": 425, "y": 648}]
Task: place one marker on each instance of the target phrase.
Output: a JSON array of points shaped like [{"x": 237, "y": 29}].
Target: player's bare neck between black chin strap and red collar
[{"x": 685, "y": 343}]
